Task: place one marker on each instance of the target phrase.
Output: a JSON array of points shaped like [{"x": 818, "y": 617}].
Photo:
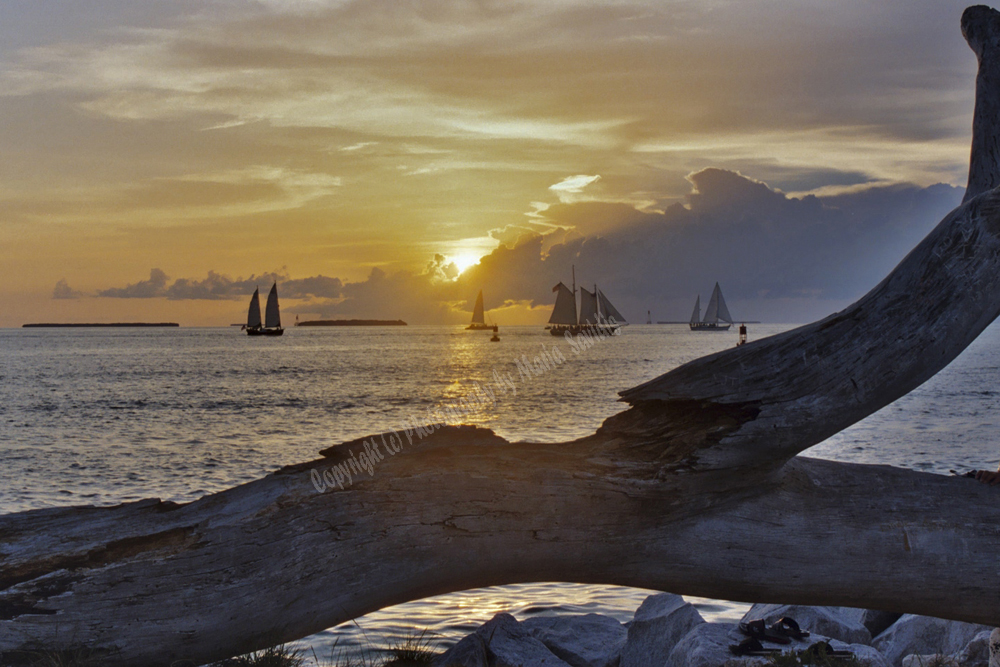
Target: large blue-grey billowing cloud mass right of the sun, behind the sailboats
[{"x": 778, "y": 257}]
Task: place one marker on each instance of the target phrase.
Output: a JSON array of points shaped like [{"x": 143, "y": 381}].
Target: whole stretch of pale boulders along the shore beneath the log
[{"x": 666, "y": 631}]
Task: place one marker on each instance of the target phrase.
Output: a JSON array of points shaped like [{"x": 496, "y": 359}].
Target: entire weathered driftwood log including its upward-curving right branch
[{"x": 695, "y": 489}]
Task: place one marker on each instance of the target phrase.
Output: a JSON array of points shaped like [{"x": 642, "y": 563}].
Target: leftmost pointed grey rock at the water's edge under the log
[{"x": 500, "y": 642}]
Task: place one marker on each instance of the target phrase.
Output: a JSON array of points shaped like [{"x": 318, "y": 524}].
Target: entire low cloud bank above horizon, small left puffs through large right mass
[{"x": 778, "y": 258}]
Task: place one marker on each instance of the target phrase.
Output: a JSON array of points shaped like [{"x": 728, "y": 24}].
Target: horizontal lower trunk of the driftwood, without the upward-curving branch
[{"x": 275, "y": 560}]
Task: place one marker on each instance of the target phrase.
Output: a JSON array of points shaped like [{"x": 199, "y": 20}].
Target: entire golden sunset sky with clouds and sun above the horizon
[{"x": 161, "y": 158}]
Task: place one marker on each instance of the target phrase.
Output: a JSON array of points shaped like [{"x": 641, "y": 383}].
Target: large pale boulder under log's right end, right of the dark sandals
[{"x": 924, "y": 635}]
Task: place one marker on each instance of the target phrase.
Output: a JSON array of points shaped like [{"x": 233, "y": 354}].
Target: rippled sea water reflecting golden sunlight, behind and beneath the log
[{"x": 102, "y": 416}]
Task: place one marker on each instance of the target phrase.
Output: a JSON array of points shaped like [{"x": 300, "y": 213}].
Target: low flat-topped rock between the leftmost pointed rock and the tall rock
[{"x": 585, "y": 640}]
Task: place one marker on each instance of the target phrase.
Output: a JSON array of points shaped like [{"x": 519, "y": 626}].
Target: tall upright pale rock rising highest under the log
[{"x": 659, "y": 624}]
